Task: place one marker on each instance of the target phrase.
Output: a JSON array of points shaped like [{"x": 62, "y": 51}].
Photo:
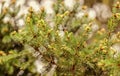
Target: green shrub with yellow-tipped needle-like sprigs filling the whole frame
[{"x": 78, "y": 51}]
